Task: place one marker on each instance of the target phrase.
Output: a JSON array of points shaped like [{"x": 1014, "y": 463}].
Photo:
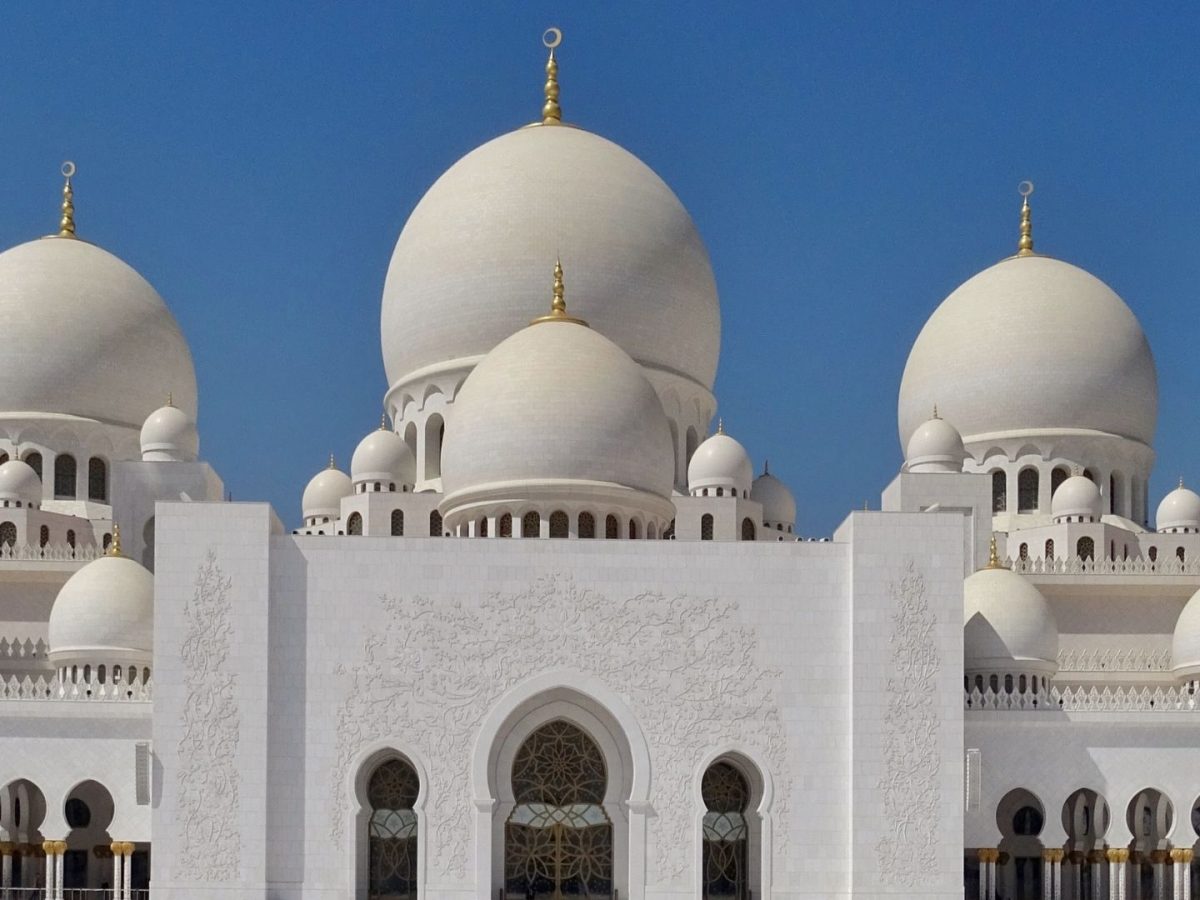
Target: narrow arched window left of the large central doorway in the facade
[{"x": 392, "y": 832}]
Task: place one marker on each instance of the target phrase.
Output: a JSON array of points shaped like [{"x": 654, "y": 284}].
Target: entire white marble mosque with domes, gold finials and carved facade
[{"x": 551, "y": 637}]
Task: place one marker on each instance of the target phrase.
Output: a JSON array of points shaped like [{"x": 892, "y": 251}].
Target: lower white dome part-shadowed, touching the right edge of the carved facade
[{"x": 1010, "y": 628}]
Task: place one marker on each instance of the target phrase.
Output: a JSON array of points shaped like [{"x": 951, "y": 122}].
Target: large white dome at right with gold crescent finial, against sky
[{"x": 1033, "y": 344}]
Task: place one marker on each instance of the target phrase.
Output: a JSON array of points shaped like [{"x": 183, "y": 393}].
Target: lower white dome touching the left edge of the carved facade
[{"x": 104, "y": 615}]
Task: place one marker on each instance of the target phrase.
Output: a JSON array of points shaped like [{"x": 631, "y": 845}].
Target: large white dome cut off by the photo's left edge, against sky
[{"x": 86, "y": 335}]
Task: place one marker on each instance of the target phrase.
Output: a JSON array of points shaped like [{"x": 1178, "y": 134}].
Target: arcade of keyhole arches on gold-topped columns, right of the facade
[{"x": 1157, "y": 863}]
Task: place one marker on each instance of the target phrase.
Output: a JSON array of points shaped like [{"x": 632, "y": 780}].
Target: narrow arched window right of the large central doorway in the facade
[{"x": 727, "y": 853}]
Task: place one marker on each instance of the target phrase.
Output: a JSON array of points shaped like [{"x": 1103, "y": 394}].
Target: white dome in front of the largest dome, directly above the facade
[{"x": 559, "y": 412}]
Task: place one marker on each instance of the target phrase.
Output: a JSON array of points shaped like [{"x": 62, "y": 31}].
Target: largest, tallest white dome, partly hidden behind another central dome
[{"x": 472, "y": 259}]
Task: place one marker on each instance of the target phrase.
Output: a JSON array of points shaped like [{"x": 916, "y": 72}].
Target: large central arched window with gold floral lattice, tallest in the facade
[{"x": 559, "y": 839}]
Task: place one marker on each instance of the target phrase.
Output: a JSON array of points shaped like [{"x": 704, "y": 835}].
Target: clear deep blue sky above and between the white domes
[{"x": 848, "y": 166}]
